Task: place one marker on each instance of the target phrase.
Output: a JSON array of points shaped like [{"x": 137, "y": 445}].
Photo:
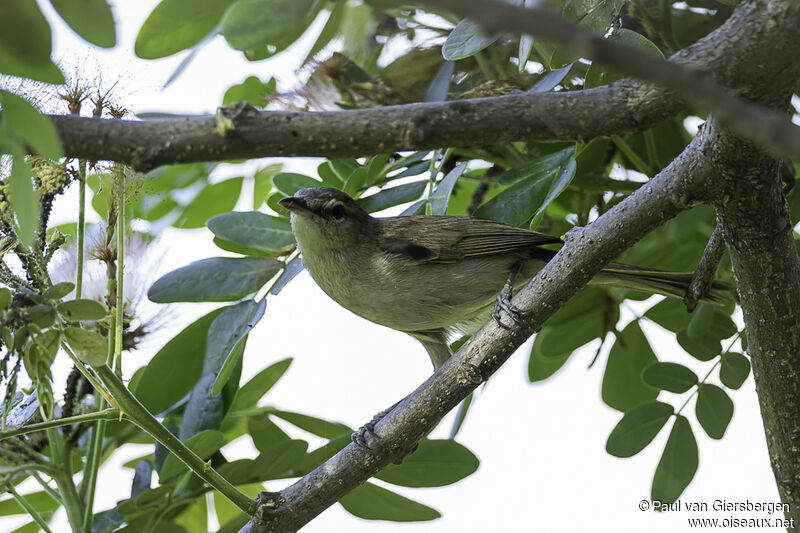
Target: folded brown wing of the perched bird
[{"x": 450, "y": 238}]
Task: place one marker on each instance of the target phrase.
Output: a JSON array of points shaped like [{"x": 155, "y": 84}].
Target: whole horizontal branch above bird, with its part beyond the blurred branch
[{"x": 734, "y": 55}]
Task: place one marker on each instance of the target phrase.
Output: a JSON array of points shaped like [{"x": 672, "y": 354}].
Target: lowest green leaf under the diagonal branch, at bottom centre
[{"x": 376, "y": 503}]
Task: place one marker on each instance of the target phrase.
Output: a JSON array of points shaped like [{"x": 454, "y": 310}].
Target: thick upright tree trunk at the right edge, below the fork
[{"x": 757, "y": 228}]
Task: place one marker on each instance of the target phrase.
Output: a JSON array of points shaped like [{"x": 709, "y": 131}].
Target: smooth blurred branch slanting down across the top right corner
[{"x": 769, "y": 128}]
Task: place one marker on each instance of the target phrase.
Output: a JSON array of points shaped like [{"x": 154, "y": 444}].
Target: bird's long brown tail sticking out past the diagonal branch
[{"x": 673, "y": 284}]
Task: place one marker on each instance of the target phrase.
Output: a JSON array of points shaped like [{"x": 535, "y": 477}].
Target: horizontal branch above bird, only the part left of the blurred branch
[{"x": 622, "y": 107}]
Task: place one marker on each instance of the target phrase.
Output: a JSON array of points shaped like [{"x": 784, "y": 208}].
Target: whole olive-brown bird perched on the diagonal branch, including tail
[{"x": 432, "y": 276}]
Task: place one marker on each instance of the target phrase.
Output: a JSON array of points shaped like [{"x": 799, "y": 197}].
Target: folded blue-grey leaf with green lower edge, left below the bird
[{"x": 225, "y": 334}]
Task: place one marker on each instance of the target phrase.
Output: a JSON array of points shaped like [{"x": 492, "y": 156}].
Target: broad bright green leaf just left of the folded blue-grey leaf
[{"x": 180, "y": 360}]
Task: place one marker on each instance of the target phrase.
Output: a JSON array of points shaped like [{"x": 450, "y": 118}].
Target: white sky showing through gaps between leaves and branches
[{"x": 541, "y": 447}]
